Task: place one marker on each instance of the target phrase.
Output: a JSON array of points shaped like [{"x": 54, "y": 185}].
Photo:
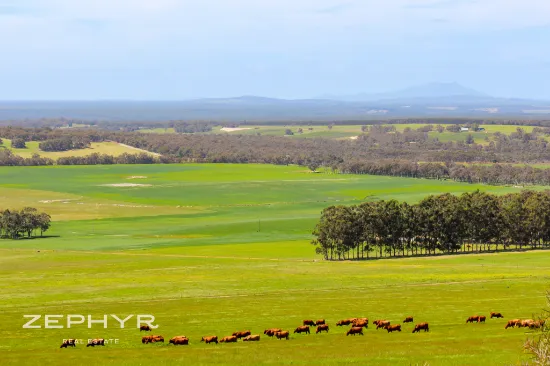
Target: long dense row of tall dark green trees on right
[{"x": 446, "y": 223}]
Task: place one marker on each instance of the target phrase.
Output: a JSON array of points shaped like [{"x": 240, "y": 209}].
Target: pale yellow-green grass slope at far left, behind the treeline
[{"x": 109, "y": 148}]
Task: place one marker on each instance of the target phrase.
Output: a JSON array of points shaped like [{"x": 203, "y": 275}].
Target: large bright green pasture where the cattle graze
[{"x": 213, "y": 249}]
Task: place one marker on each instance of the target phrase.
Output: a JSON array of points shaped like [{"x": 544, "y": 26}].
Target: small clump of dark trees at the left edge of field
[{"x": 27, "y": 222}]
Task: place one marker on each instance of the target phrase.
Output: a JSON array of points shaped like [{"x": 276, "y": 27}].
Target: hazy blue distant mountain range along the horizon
[{"x": 429, "y": 100}]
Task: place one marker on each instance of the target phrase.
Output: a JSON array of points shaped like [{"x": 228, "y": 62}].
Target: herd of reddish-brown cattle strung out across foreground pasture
[{"x": 357, "y": 325}]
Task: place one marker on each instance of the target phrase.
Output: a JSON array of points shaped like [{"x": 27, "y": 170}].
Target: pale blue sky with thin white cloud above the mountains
[{"x": 185, "y": 49}]
